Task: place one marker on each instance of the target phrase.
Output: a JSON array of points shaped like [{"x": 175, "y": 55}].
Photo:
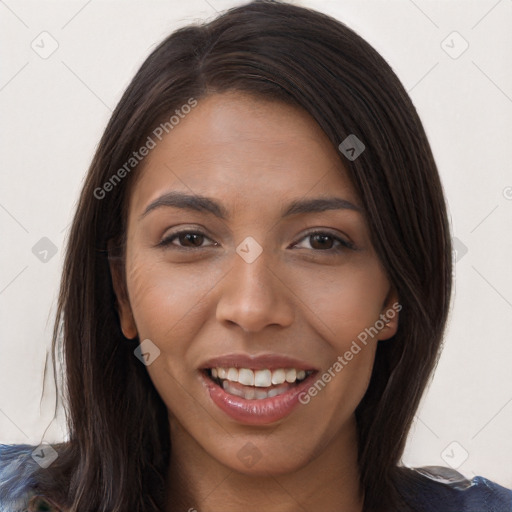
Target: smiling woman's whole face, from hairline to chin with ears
[{"x": 263, "y": 277}]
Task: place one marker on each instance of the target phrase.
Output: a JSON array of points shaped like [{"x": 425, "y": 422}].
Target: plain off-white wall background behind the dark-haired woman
[{"x": 55, "y": 107}]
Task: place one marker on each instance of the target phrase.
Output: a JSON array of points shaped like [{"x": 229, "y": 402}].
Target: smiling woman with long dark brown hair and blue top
[{"x": 256, "y": 286}]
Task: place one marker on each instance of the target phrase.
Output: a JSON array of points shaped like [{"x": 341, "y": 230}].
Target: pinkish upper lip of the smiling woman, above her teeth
[{"x": 257, "y": 362}]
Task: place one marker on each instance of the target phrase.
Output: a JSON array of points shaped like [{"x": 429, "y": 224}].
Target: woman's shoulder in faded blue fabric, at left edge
[{"x": 18, "y": 468}]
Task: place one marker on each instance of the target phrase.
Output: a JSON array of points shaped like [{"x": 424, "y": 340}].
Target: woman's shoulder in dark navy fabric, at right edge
[{"x": 439, "y": 489}]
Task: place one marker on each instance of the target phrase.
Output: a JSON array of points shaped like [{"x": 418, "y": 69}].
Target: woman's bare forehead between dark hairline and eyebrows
[{"x": 235, "y": 146}]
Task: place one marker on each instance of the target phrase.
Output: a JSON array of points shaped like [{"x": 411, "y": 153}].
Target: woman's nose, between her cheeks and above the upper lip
[{"x": 252, "y": 296}]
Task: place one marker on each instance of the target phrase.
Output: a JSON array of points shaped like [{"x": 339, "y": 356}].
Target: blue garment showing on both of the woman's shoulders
[{"x": 429, "y": 489}]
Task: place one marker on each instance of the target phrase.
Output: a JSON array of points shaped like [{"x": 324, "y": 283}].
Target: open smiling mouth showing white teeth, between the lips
[{"x": 252, "y": 384}]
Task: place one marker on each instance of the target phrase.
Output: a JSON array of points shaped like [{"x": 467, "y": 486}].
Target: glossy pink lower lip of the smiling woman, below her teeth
[{"x": 256, "y": 412}]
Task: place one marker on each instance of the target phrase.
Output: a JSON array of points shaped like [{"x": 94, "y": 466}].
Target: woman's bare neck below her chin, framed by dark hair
[{"x": 329, "y": 481}]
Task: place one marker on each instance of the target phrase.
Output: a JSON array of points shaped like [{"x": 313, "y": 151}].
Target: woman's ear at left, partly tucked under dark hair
[{"x": 124, "y": 310}]
